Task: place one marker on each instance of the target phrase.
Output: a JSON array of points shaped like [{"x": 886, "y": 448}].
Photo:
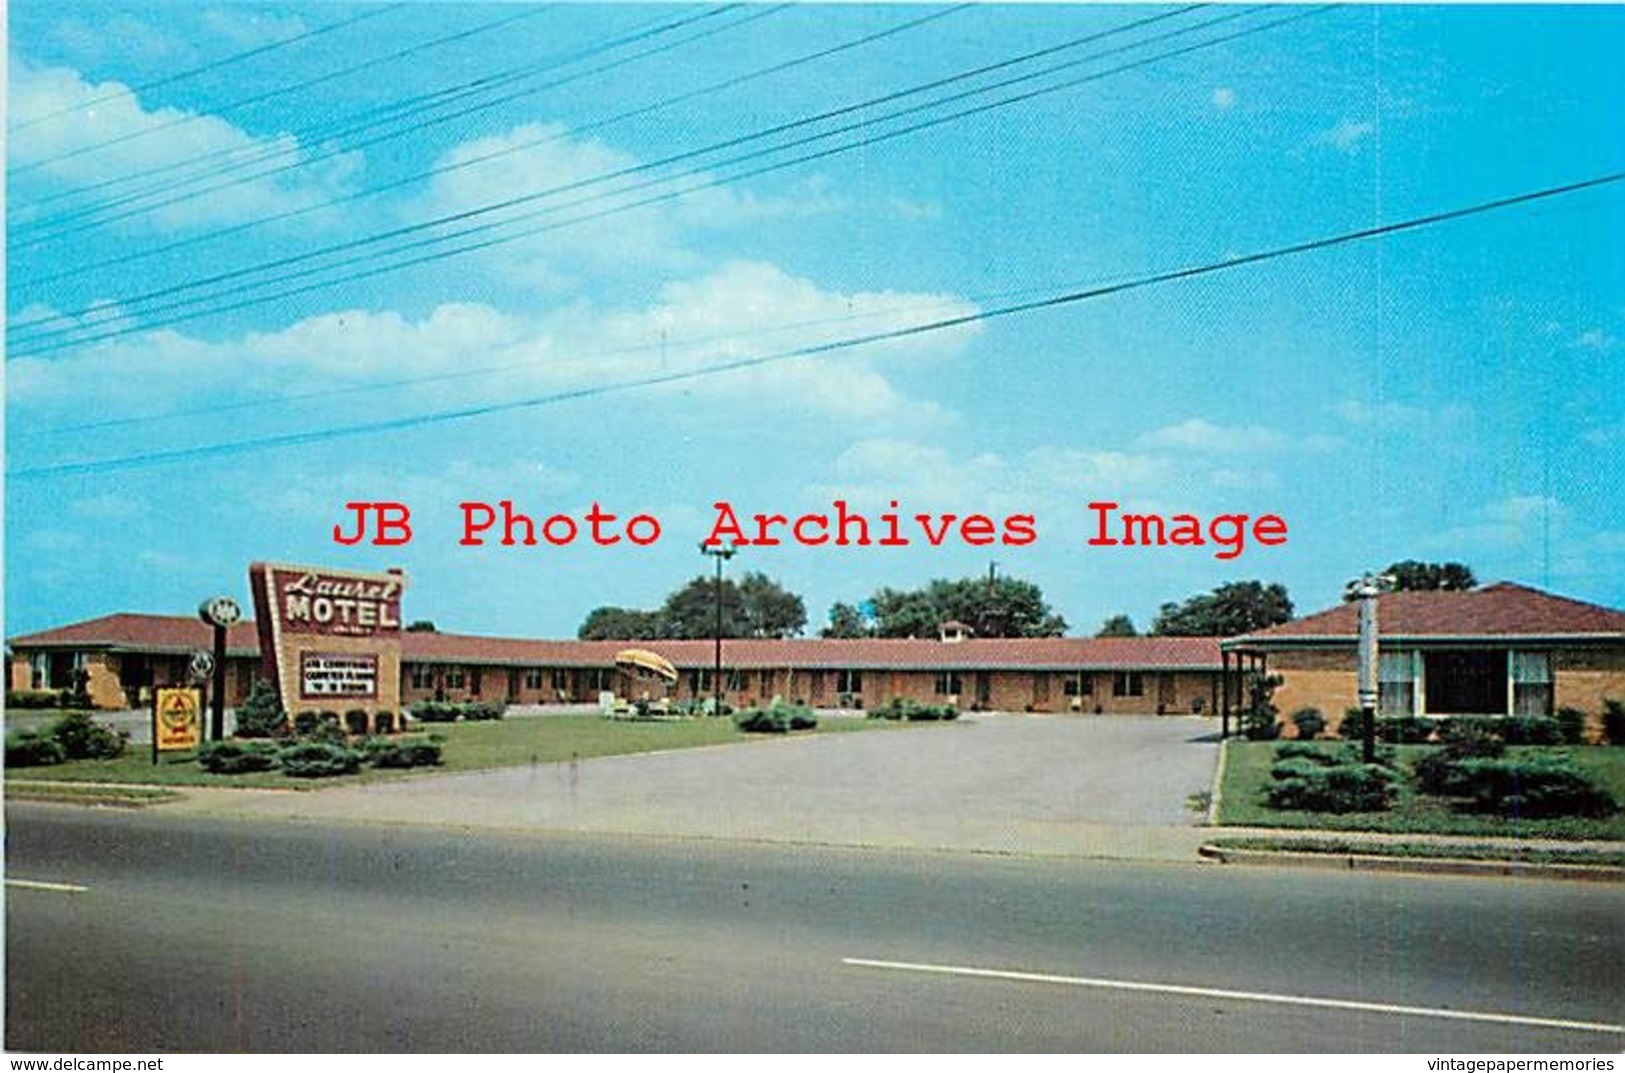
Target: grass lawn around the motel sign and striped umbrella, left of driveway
[{"x": 469, "y": 747}]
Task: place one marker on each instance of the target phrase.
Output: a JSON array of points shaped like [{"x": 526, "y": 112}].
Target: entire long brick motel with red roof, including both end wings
[{"x": 1494, "y": 651}]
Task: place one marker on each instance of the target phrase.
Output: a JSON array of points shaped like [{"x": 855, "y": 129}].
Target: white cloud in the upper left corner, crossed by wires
[{"x": 59, "y": 152}]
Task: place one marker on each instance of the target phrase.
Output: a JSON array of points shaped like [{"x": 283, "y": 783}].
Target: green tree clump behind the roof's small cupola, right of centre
[{"x": 1007, "y": 609}]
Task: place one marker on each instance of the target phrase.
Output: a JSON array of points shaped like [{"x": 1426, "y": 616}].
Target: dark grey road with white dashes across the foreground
[{"x": 196, "y": 934}]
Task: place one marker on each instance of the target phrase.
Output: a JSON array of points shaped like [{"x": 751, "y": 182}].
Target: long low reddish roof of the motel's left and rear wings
[{"x": 163, "y": 633}]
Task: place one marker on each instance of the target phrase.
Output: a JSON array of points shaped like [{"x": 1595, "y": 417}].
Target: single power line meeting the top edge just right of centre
[{"x": 641, "y": 111}]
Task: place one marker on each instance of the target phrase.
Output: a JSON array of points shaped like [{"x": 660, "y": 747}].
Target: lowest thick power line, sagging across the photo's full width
[{"x": 345, "y": 432}]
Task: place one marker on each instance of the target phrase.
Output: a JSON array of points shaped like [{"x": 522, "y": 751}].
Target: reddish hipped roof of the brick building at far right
[{"x": 1501, "y": 610}]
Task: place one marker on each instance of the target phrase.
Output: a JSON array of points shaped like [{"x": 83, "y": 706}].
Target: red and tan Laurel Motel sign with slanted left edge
[{"x": 331, "y": 636}]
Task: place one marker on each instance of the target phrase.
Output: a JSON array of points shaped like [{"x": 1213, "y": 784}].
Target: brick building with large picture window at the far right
[{"x": 1496, "y": 651}]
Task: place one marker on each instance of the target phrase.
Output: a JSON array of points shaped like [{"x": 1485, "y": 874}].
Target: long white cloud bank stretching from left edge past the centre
[{"x": 737, "y": 313}]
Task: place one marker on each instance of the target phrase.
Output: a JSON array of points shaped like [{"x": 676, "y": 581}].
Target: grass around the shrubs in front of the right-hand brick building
[{"x": 1247, "y": 775}]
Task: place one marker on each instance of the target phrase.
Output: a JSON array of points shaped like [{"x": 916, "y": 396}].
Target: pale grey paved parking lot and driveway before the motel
[{"x": 1064, "y": 786}]
